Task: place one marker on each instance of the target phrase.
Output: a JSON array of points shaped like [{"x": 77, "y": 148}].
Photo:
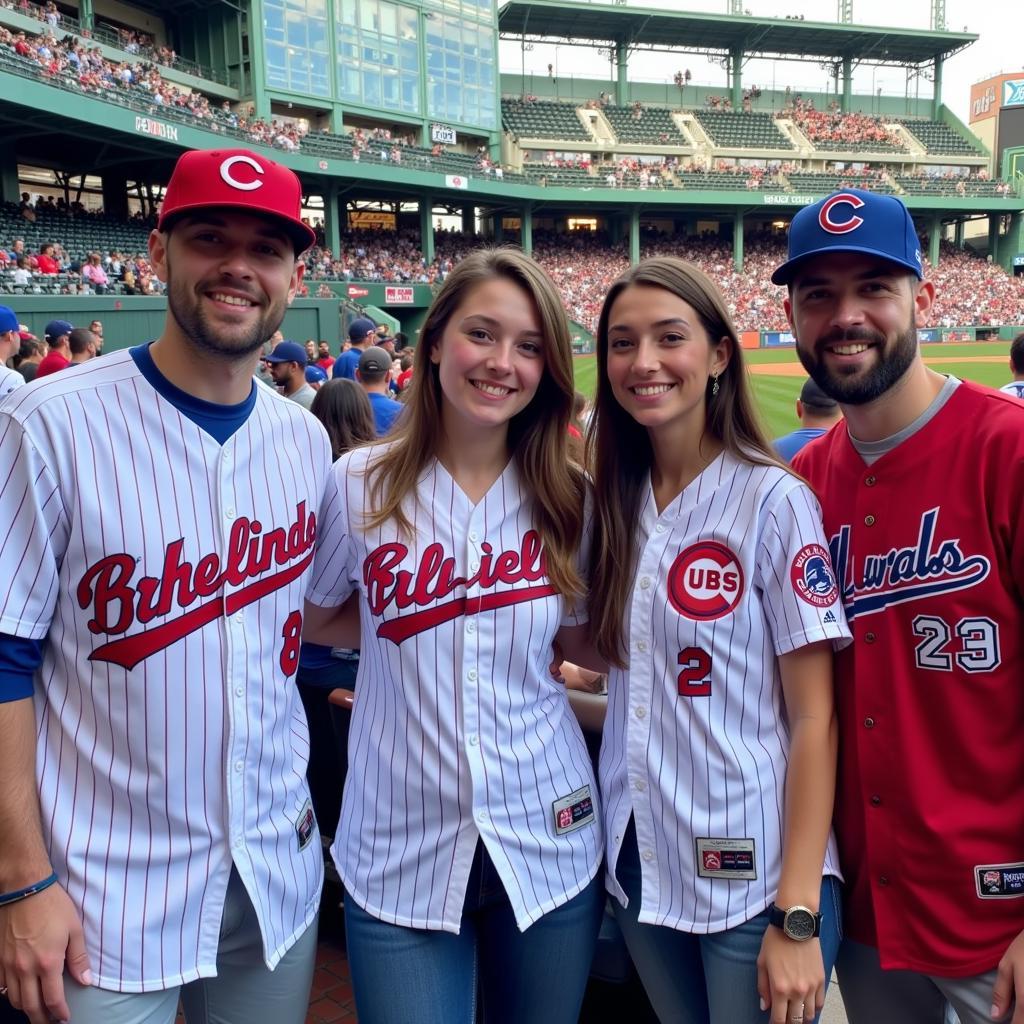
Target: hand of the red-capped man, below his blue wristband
[{"x": 38, "y": 936}]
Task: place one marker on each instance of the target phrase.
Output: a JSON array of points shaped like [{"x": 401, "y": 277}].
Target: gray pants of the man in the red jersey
[{"x": 872, "y": 995}]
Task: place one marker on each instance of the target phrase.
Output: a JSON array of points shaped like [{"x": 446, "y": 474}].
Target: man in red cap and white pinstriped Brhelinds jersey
[{"x": 159, "y": 842}]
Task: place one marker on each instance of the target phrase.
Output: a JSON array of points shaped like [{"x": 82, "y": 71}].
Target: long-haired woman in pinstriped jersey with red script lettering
[{"x": 470, "y": 844}]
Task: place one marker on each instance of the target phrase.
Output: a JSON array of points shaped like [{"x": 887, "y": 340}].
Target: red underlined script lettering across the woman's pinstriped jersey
[{"x": 436, "y": 579}]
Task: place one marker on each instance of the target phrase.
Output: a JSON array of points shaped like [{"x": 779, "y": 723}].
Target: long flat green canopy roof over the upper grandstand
[{"x": 776, "y": 37}]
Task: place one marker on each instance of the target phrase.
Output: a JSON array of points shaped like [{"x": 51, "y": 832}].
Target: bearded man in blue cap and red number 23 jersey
[{"x": 922, "y": 494}]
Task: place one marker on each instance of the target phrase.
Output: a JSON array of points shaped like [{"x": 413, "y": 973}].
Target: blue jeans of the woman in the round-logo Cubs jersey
[{"x": 707, "y": 979}]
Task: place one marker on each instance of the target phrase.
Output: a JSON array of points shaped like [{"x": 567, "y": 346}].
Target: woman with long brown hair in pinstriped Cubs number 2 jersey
[{"x": 713, "y": 599}]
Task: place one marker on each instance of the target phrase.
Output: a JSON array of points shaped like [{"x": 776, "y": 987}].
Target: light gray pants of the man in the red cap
[{"x": 243, "y": 992}]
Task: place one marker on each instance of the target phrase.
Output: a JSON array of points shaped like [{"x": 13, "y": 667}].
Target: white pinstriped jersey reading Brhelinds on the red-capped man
[{"x": 167, "y": 573}]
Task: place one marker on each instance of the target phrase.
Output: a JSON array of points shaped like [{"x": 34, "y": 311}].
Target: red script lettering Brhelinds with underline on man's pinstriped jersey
[{"x": 118, "y": 605}]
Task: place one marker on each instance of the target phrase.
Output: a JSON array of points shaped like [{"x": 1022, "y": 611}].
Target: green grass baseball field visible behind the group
[{"x": 777, "y": 397}]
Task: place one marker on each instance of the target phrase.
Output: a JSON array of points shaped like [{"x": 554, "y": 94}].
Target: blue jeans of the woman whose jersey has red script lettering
[{"x": 411, "y": 976}]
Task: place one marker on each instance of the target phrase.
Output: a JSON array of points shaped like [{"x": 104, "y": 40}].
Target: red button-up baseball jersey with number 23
[{"x": 930, "y": 557}]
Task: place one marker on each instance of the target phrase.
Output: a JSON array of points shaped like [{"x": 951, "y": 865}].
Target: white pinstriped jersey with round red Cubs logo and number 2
[{"x": 734, "y": 573}]
